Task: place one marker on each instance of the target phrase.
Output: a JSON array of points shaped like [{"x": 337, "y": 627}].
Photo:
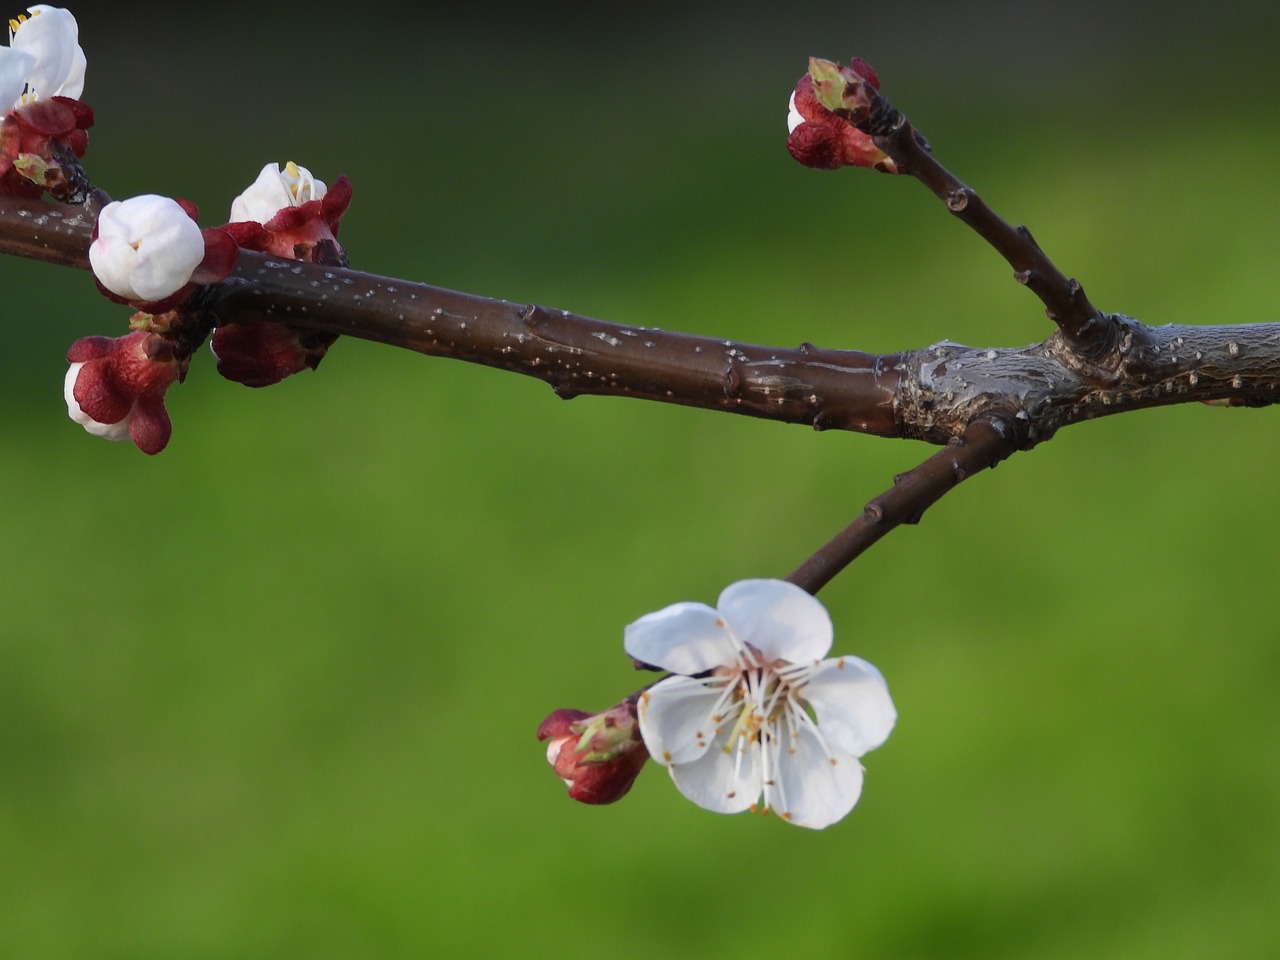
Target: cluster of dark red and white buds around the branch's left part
[{"x": 149, "y": 253}]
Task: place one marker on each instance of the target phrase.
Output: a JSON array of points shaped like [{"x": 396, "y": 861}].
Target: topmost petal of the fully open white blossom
[{"x": 779, "y": 619}]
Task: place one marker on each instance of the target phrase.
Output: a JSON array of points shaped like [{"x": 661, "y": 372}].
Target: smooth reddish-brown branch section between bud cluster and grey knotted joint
[{"x": 577, "y": 355}]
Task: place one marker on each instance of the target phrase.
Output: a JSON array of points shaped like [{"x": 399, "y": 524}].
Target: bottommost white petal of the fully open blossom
[{"x": 812, "y": 788}]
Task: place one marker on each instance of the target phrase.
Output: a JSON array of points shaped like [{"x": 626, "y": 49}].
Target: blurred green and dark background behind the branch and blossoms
[{"x": 273, "y": 693}]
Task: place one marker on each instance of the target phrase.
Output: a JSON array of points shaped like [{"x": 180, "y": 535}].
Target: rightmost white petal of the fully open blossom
[{"x": 852, "y": 702}]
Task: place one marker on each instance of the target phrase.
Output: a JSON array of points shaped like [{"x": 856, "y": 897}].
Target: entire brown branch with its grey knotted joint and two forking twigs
[{"x": 981, "y": 404}]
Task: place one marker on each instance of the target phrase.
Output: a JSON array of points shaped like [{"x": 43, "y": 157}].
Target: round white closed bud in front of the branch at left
[{"x": 147, "y": 249}]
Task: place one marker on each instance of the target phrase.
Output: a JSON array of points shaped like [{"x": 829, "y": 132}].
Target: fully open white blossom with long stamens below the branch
[{"x": 758, "y": 711}]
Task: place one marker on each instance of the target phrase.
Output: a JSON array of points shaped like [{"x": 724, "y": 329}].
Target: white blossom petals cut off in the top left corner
[{"x": 44, "y": 58}]
